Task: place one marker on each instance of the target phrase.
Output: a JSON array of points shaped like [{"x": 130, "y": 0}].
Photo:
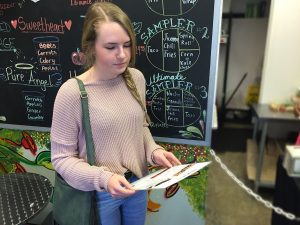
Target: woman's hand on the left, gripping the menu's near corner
[{"x": 119, "y": 187}]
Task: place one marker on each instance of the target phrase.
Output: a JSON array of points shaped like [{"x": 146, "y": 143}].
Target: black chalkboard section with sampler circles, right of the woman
[{"x": 178, "y": 42}]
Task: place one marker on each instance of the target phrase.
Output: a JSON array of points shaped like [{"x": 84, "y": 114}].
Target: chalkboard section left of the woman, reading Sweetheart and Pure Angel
[{"x": 36, "y": 44}]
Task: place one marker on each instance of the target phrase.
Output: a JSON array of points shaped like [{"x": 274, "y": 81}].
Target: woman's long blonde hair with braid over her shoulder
[{"x": 108, "y": 12}]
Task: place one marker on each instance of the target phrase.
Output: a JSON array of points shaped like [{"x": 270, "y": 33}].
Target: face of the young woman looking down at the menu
[{"x": 112, "y": 50}]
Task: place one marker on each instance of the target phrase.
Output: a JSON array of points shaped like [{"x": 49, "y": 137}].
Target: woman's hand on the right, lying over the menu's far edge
[{"x": 164, "y": 158}]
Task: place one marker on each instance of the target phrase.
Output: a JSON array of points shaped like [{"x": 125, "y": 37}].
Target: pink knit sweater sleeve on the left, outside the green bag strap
[{"x": 68, "y": 151}]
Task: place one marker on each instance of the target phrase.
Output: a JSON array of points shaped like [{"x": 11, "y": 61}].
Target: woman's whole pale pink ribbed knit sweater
[{"x": 122, "y": 139}]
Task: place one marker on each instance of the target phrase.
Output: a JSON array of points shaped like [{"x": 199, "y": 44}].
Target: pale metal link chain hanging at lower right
[{"x": 268, "y": 204}]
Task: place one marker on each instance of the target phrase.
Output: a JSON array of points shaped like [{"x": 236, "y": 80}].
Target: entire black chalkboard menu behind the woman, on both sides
[{"x": 177, "y": 49}]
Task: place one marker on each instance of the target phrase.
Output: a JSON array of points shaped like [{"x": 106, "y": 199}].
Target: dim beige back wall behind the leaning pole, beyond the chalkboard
[{"x": 248, "y": 38}]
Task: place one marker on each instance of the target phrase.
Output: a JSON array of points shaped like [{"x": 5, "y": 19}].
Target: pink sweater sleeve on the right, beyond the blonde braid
[{"x": 149, "y": 143}]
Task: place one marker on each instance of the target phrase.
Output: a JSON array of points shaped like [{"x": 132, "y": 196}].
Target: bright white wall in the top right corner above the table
[{"x": 281, "y": 70}]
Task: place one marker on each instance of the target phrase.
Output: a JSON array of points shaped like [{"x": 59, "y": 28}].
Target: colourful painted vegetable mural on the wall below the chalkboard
[{"x": 20, "y": 149}]
